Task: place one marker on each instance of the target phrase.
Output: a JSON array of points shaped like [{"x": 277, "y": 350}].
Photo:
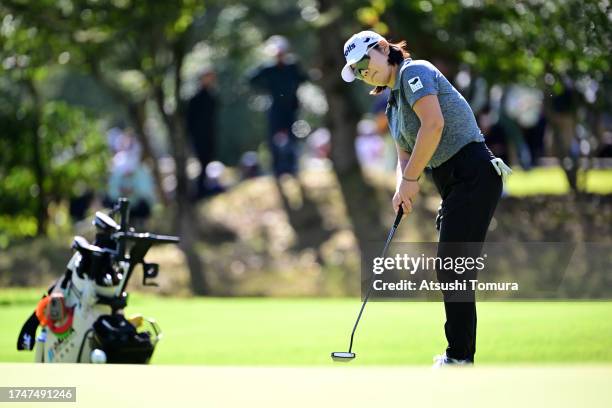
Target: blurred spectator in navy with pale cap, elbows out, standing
[{"x": 281, "y": 79}]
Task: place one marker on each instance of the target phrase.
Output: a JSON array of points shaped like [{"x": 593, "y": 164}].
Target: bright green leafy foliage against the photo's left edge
[{"x": 45, "y": 148}]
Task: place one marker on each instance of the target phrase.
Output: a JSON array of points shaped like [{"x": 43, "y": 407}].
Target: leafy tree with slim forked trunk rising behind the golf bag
[{"x": 137, "y": 49}]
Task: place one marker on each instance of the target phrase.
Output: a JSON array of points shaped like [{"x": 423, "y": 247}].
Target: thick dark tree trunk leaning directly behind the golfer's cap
[{"x": 343, "y": 115}]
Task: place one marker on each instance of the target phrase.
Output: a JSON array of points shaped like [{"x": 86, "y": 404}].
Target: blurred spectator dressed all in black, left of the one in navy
[{"x": 201, "y": 126}]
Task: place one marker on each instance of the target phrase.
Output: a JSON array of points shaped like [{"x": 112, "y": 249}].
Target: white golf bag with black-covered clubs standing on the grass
[{"x": 82, "y": 315}]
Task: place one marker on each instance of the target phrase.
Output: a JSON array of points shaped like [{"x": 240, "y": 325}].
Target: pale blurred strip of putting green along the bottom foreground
[{"x": 187, "y": 386}]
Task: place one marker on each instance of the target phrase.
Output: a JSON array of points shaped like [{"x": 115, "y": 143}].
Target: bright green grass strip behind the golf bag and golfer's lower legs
[{"x": 291, "y": 332}]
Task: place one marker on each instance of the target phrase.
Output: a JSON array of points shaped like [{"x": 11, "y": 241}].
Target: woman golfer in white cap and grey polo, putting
[{"x": 433, "y": 126}]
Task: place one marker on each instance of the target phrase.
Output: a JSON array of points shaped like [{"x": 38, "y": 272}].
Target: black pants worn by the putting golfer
[{"x": 470, "y": 189}]
